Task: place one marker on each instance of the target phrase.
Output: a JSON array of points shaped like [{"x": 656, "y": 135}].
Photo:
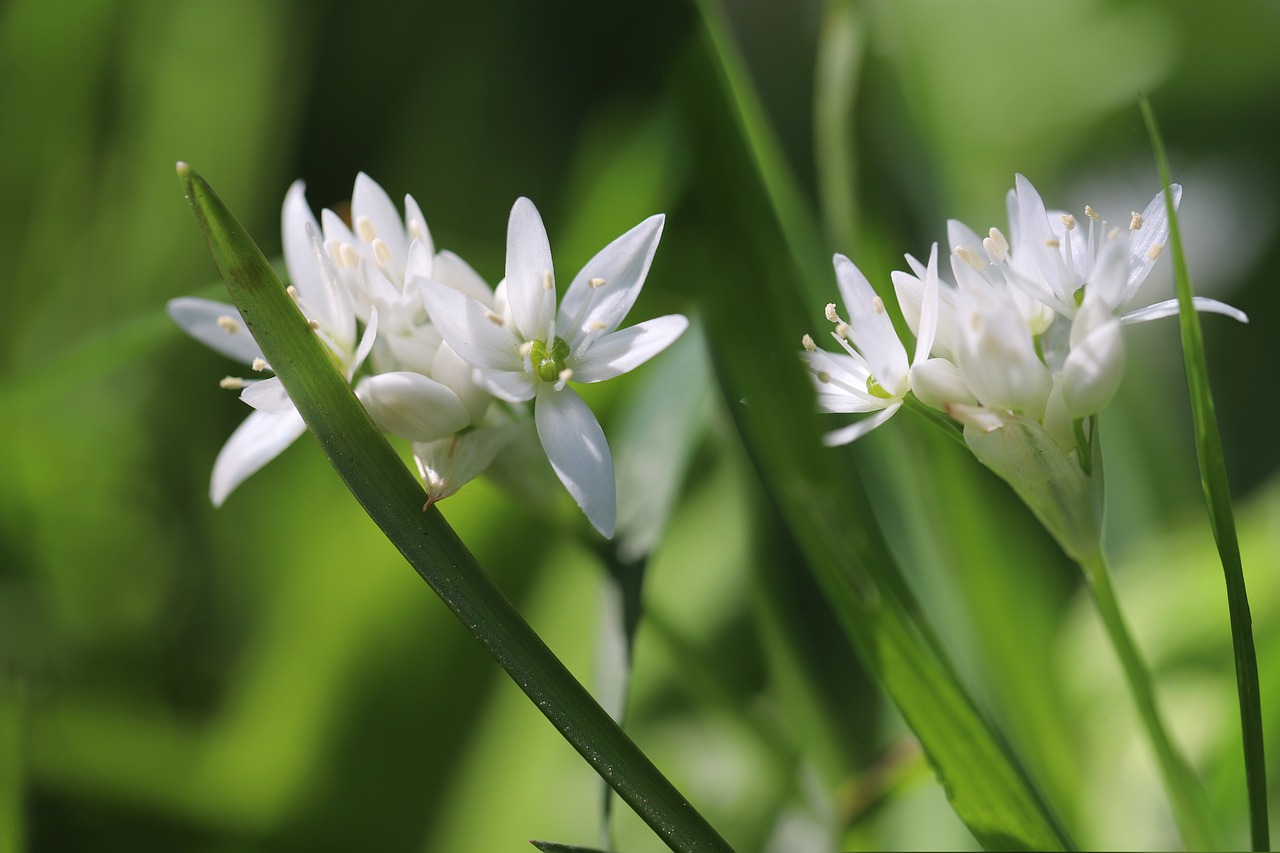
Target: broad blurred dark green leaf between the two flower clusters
[{"x": 752, "y": 316}]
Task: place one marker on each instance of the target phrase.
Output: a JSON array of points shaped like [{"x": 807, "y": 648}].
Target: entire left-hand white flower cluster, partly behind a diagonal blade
[{"x": 445, "y": 361}]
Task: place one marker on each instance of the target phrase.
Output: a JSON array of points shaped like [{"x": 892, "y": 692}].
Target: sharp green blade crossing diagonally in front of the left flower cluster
[{"x": 394, "y": 499}]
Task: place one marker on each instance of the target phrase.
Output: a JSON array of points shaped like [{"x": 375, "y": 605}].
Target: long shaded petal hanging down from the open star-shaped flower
[{"x": 578, "y": 451}]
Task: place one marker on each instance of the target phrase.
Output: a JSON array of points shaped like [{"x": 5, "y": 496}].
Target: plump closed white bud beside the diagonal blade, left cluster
[{"x": 413, "y": 407}]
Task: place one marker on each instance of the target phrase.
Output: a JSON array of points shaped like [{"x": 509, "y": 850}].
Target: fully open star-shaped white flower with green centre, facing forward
[{"x": 538, "y": 349}]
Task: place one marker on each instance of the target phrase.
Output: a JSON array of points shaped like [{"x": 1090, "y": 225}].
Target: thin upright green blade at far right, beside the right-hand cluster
[{"x": 1218, "y": 499}]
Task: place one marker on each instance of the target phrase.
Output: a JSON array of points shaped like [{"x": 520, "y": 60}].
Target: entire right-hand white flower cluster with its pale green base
[{"x": 1023, "y": 349}]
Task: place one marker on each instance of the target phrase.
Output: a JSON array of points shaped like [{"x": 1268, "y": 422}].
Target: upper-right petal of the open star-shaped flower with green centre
[{"x": 623, "y": 266}]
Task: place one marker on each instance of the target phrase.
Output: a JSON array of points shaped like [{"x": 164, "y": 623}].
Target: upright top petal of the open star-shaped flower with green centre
[{"x": 529, "y": 272}]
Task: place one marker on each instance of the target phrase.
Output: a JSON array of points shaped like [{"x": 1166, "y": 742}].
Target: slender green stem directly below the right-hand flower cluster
[{"x": 1190, "y": 805}]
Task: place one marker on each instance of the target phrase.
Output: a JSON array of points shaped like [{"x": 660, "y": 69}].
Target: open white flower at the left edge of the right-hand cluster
[{"x": 872, "y": 373}]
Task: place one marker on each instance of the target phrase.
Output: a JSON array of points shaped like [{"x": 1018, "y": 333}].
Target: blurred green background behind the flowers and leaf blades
[{"x": 273, "y": 677}]
